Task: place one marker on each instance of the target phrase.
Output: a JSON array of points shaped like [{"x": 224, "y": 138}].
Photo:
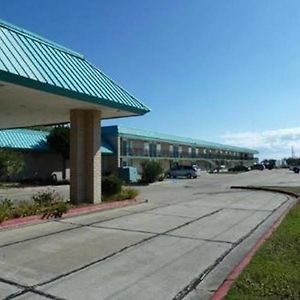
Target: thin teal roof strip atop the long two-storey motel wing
[{"x": 151, "y": 135}]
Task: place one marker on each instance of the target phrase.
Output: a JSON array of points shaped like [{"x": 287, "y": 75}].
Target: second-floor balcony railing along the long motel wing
[{"x": 140, "y": 152}]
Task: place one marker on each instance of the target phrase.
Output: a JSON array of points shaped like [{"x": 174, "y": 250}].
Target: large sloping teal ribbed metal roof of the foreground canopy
[{"x": 32, "y": 61}]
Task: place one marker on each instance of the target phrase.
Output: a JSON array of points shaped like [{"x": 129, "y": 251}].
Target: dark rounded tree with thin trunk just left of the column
[{"x": 58, "y": 141}]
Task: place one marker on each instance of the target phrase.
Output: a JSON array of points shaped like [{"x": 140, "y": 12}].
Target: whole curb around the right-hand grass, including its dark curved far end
[{"x": 223, "y": 289}]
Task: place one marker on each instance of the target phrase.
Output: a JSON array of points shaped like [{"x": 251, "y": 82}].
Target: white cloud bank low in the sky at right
[{"x": 270, "y": 143}]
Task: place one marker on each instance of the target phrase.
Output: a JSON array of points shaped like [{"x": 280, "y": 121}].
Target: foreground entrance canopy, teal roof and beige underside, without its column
[{"x": 40, "y": 82}]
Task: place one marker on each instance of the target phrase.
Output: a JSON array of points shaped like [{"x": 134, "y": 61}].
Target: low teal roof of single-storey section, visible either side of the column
[{"x": 26, "y": 139}]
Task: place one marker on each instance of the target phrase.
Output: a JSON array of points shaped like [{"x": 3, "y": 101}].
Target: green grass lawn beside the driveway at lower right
[{"x": 274, "y": 271}]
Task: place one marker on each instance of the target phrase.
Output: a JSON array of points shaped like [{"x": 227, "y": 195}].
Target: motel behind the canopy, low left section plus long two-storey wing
[{"x": 123, "y": 147}]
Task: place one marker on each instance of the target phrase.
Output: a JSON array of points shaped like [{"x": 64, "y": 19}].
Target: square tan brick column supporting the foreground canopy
[{"x": 85, "y": 156}]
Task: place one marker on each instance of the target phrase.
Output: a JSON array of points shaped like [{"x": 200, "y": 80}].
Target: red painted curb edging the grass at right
[{"x": 223, "y": 289}]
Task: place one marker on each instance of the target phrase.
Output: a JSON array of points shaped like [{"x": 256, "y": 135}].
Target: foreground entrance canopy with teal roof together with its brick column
[{"x": 43, "y": 83}]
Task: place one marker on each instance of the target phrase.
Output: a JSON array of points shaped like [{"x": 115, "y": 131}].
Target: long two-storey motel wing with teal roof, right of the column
[{"x": 133, "y": 146}]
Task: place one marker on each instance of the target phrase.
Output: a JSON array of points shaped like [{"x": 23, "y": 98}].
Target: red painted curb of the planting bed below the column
[{"x": 72, "y": 212}]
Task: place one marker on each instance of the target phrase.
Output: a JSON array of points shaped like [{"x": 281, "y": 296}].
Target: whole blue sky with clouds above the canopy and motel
[{"x": 225, "y": 71}]
